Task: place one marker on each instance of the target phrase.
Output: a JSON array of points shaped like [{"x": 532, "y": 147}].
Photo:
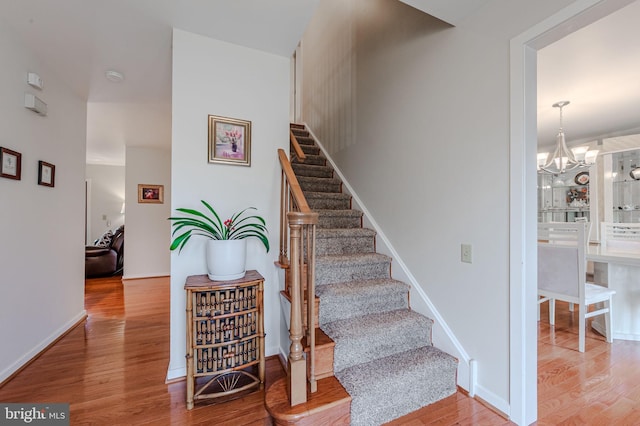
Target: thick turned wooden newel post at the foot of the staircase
[{"x": 297, "y": 364}]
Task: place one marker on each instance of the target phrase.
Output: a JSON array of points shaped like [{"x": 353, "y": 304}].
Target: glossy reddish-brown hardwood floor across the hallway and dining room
[{"x": 112, "y": 369}]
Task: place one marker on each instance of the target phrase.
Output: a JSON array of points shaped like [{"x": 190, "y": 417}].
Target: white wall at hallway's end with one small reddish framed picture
[{"x": 146, "y": 252}]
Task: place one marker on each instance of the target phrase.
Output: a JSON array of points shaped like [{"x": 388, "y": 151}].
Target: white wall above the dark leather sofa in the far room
[{"x": 106, "y": 197}]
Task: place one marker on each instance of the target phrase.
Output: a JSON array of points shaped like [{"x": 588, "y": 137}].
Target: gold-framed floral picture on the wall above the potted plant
[{"x": 229, "y": 140}]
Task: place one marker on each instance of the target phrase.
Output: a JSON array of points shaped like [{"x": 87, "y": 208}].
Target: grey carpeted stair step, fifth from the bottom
[{"x": 344, "y": 241}]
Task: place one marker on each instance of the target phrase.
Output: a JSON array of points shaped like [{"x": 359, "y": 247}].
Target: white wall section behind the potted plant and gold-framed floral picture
[{"x": 215, "y": 77}]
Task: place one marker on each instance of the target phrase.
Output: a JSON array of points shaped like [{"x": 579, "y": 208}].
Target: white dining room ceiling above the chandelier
[{"x": 597, "y": 69}]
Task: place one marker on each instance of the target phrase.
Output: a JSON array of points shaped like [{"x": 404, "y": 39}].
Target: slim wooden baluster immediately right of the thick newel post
[{"x": 311, "y": 305}]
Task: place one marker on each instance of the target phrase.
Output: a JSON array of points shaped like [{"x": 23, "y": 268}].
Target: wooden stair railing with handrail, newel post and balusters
[{"x": 298, "y": 232}]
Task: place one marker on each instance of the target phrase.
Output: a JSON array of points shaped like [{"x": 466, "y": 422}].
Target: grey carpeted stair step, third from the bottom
[{"x": 356, "y": 298}]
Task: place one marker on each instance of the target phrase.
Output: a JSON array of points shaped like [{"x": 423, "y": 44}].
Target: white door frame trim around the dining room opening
[{"x": 523, "y": 197}]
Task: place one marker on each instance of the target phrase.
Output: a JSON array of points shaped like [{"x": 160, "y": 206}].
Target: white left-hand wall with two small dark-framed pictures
[{"x": 42, "y": 228}]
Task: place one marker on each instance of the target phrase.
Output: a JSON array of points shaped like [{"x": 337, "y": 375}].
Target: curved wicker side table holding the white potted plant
[{"x": 225, "y": 336}]
